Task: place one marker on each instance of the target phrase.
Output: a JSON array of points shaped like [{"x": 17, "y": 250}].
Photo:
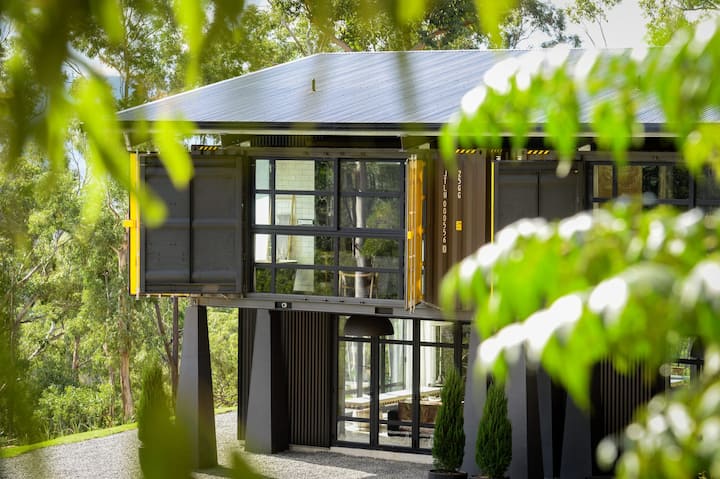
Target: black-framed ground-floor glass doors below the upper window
[{"x": 388, "y": 388}]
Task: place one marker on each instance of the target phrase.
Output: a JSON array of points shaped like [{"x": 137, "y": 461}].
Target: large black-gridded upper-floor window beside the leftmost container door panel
[{"x": 302, "y": 193}]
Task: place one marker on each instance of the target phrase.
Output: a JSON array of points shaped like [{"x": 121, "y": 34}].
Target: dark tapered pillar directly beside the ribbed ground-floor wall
[{"x": 267, "y": 429}]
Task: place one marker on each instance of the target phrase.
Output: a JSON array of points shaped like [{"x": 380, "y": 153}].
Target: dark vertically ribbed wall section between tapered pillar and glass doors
[{"x": 307, "y": 346}]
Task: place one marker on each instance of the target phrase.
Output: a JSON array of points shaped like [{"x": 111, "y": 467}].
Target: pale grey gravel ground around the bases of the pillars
[{"x": 116, "y": 457}]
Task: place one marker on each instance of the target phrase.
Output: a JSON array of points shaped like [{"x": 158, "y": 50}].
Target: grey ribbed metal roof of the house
[{"x": 343, "y": 92}]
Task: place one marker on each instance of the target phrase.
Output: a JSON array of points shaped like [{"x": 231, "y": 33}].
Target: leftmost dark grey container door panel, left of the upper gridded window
[{"x": 199, "y": 246}]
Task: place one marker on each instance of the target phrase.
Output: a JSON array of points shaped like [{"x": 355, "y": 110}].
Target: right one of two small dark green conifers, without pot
[{"x": 493, "y": 451}]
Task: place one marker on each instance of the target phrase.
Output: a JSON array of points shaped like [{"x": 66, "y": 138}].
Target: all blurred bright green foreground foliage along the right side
[{"x": 624, "y": 284}]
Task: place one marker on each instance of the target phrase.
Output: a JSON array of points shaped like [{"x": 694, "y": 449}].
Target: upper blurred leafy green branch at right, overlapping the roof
[{"x": 568, "y": 94}]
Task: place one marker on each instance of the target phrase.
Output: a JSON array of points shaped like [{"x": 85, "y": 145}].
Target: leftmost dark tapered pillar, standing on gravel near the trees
[{"x": 195, "y": 409}]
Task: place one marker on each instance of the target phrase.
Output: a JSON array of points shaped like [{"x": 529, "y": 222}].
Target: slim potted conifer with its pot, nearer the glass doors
[{"x": 449, "y": 437}]
